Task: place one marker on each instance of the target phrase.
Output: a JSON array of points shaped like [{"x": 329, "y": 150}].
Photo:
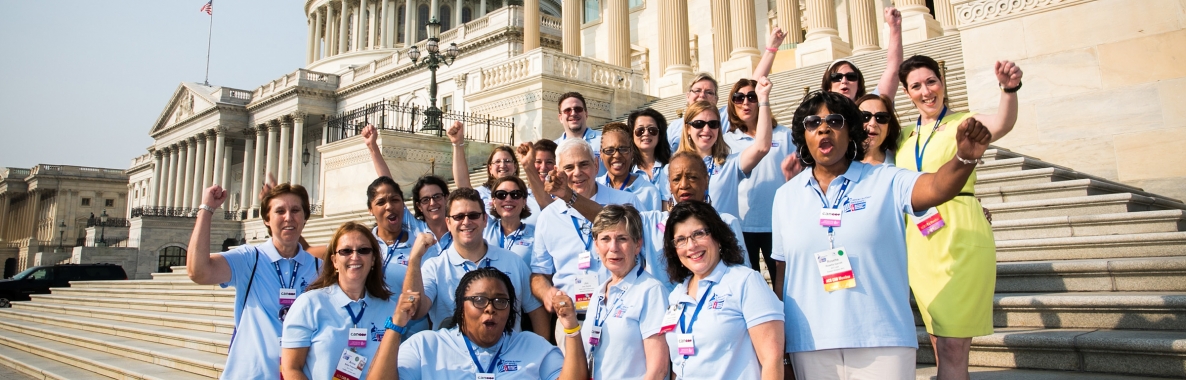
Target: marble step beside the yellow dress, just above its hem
[{"x": 1089, "y": 311}]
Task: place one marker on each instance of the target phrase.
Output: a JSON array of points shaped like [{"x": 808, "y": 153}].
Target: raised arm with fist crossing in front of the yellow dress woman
[{"x": 934, "y": 189}]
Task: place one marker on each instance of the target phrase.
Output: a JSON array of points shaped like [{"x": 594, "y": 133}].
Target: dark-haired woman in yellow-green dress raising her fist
[{"x": 952, "y": 256}]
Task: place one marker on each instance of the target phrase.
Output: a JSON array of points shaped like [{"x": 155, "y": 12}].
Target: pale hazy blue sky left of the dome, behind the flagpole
[{"x": 84, "y": 81}]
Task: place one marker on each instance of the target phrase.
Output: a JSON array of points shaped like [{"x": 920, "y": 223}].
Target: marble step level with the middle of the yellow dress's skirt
[{"x": 1137, "y": 275}]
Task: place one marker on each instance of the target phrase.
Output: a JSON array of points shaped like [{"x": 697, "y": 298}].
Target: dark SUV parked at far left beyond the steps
[{"x": 39, "y": 280}]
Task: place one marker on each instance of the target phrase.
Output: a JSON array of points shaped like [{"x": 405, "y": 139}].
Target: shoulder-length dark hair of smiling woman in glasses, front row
[{"x": 720, "y": 232}]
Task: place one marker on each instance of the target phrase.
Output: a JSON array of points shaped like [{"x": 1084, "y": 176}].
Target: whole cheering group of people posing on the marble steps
[{"x": 634, "y": 252}]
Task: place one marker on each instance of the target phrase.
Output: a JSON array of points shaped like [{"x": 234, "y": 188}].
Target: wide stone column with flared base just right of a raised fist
[{"x": 824, "y": 43}]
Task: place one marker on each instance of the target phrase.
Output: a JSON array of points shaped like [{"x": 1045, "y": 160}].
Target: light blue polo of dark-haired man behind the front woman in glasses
[{"x": 442, "y": 276}]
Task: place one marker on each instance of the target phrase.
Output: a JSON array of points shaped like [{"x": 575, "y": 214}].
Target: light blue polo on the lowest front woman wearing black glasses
[{"x": 443, "y": 354}]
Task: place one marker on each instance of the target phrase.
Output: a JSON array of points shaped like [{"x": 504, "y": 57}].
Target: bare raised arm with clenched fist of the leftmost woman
[{"x": 203, "y": 268}]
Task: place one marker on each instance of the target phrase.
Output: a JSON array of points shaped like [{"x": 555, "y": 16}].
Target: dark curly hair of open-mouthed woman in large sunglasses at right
[{"x": 837, "y": 104}]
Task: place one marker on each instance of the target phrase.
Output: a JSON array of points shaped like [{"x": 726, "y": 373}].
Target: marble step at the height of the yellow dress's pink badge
[{"x": 1140, "y": 223}]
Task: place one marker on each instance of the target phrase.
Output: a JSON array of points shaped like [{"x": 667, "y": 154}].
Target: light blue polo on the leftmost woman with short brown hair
[{"x": 256, "y": 347}]
